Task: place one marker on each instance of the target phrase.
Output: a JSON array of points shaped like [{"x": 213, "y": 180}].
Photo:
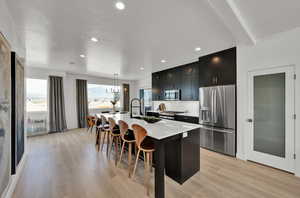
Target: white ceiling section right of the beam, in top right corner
[{"x": 267, "y": 17}]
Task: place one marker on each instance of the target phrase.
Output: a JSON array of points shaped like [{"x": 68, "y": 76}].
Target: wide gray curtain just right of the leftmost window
[{"x": 57, "y": 115}]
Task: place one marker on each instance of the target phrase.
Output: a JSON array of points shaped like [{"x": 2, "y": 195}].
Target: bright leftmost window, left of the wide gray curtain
[{"x": 36, "y": 106}]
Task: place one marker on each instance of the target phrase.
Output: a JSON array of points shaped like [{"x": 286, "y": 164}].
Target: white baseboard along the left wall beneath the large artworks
[{"x": 14, "y": 178}]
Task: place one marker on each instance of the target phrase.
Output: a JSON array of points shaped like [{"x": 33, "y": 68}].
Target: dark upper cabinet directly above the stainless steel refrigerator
[{"x": 218, "y": 68}]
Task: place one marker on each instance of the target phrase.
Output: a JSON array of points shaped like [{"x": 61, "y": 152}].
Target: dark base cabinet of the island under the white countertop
[{"x": 183, "y": 156}]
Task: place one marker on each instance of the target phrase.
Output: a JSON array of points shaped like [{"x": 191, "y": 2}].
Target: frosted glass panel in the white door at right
[{"x": 269, "y": 114}]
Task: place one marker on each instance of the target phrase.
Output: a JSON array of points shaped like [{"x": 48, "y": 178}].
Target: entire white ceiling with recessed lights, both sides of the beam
[{"x": 56, "y": 32}]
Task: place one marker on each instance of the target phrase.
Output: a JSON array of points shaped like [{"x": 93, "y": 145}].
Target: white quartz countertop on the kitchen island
[{"x": 158, "y": 130}]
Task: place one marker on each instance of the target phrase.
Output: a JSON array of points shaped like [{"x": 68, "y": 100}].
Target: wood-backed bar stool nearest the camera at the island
[{"x": 147, "y": 146}]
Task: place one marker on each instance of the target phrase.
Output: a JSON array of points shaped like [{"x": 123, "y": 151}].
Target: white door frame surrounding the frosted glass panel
[{"x": 288, "y": 163}]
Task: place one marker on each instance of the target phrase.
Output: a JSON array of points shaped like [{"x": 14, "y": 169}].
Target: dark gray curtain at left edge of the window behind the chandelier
[{"x": 82, "y": 102}]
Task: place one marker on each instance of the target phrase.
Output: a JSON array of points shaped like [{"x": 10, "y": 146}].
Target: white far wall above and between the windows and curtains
[{"x": 70, "y": 89}]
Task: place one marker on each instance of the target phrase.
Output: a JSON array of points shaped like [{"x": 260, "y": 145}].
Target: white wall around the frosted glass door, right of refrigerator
[{"x": 280, "y": 50}]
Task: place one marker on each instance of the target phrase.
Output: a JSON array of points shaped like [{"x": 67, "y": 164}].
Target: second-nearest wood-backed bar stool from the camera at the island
[{"x": 127, "y": 137}]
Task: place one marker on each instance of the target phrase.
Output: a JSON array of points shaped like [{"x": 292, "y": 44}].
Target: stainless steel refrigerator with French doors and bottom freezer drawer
[{"x": 218, "y": 118}]
